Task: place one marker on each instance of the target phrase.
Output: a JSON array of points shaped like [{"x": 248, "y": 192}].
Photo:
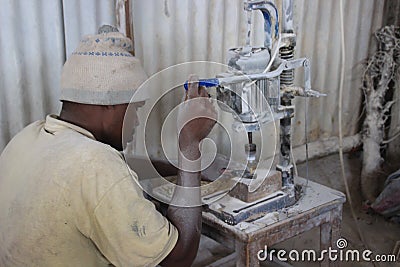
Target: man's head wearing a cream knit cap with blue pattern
[{"x": 97, "y": 84}]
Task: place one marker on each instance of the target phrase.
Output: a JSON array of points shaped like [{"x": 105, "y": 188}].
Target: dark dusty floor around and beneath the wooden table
[{"x": 380, "y": 235}]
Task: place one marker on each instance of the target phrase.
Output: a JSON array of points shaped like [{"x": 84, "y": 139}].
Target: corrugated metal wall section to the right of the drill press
[{"x": 319, "y": 39}]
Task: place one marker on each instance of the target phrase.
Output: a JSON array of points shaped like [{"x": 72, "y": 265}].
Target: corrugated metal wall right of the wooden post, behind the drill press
[{"x": 169, "y": 32}]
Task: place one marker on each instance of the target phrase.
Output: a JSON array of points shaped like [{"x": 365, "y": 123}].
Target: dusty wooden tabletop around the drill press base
[{"x": 310, "y": 210}]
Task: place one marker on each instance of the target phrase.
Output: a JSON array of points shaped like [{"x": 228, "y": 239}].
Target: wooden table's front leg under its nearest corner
[{"x": 246, "y": 254}]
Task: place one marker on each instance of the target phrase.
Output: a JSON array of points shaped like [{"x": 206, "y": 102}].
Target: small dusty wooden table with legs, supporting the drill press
[{"x": 320, "y": 206}]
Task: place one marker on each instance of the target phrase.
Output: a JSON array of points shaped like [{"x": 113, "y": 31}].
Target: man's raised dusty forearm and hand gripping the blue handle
[{"x": 199, "y": 116}]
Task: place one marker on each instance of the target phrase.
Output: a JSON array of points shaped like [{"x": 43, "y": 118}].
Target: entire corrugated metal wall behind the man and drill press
[{"x": 37, "y": 36}]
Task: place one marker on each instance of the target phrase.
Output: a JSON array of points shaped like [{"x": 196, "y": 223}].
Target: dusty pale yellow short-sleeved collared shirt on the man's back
[{"x": 68, "y": 200}]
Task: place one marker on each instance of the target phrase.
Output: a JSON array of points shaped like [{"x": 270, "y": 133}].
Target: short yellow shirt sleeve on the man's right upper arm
[{"x": 127, "y": 228}]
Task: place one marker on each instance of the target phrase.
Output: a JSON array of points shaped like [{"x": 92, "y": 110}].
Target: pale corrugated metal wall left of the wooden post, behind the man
[{"x": 35, "y": 38}]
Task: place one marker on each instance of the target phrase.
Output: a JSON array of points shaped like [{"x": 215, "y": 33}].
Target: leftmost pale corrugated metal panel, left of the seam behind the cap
[{"x": 31, "y": 56}]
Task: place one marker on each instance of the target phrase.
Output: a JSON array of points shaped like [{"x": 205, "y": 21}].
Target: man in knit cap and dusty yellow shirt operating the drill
[{"x": 67, "y": 198}]
